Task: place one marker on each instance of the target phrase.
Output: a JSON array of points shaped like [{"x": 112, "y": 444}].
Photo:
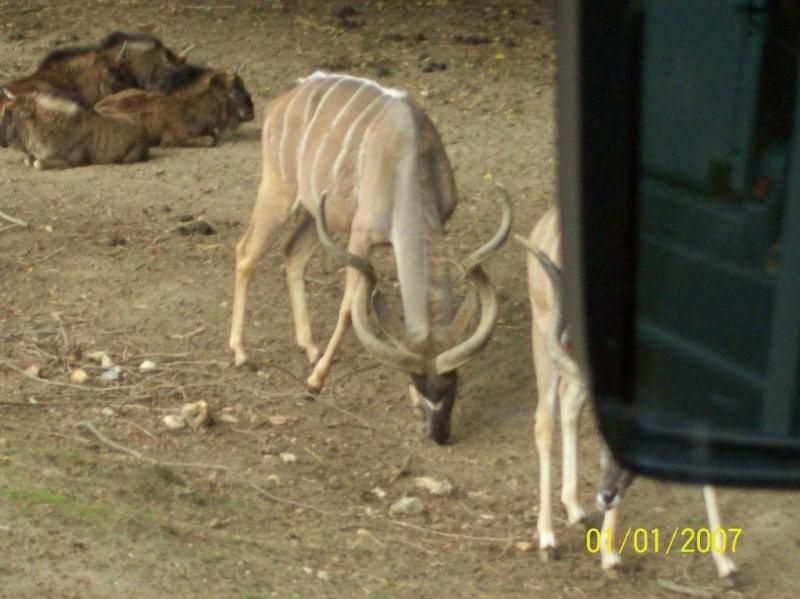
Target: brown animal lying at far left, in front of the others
[{"x": 58, "y": 132}]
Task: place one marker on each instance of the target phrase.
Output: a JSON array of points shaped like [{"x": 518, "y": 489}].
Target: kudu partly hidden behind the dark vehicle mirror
[{"x": 561, "y": 382}]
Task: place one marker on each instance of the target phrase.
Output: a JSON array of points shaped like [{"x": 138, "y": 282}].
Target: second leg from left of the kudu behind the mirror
[{"x": 572, "y": 401}]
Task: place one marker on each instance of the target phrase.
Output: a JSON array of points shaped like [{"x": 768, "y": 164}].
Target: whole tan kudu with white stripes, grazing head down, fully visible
[{"x": 388, "y": 181}]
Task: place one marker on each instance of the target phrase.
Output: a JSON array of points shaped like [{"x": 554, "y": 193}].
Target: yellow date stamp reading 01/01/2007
[{"x": 655, "y": 540}]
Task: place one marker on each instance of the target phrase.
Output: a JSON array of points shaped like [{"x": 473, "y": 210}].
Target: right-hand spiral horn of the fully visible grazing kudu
[{"x": 451, "y": 359}]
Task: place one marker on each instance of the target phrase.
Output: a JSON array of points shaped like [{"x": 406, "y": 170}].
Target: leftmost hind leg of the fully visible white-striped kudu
[{"x": 269, "y": 214}]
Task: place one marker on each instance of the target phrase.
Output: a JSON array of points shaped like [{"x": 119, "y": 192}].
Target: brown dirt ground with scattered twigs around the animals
[{"x": 219, "y": 512}]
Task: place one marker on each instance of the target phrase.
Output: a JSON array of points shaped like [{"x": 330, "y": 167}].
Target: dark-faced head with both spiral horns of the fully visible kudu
[{"x": 431, "y": 367}]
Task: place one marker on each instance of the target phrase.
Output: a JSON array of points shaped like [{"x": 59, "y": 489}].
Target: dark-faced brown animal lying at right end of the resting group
[{"x": 196, "y": 106}]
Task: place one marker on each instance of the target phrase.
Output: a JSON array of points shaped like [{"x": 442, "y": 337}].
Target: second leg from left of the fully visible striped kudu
[{"x": 299, "y": 250}]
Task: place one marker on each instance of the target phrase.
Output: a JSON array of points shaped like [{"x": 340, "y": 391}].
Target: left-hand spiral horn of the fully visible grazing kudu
[{"x": 396, "y": 357}]
